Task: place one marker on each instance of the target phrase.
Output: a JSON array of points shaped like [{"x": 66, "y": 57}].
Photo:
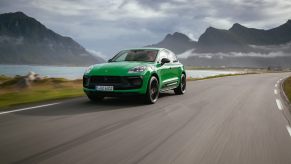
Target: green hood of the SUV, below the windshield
[{"x": 115, "y": 68}]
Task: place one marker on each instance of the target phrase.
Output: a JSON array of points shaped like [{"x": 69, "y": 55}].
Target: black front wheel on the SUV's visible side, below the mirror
[{"x": 153, "y": 91}]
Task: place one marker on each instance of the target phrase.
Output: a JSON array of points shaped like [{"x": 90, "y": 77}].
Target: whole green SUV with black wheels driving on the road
[{"x": 142, "y": 71}]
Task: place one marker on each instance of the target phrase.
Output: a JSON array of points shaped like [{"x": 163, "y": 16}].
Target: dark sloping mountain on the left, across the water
[{"x": 24, "y": 40}]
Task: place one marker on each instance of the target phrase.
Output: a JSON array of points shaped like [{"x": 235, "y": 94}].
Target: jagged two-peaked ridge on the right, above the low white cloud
[{"x": 236, "y": 39}]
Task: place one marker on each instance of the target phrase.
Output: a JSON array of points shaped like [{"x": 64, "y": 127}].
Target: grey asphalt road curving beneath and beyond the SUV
[{"x": 233, "y": 120}]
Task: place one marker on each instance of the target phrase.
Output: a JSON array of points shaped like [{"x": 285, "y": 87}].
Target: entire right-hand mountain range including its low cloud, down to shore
[{"x": 238, "y": 46}]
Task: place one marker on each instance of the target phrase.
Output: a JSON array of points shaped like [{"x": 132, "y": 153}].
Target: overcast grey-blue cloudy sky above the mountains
[{"x": 106, "y": 26}]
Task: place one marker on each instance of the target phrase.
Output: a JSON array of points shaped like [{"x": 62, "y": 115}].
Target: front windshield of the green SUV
[{"x": 136, "y": 55}]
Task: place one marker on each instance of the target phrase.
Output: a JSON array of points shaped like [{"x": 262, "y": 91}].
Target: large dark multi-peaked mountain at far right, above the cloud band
[{"x": 239, "y": 38}]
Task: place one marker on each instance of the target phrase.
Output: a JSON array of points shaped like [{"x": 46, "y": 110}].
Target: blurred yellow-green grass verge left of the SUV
[{"x": 43, "y": 90}]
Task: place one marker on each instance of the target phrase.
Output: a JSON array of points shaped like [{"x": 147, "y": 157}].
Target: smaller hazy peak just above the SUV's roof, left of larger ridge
[{"x": 177, "y": 42}]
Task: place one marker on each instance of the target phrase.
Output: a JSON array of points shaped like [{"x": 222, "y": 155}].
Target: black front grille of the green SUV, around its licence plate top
[{"x": 118, "y": 82}]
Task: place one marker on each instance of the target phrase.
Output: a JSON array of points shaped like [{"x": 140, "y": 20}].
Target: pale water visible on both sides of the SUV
[{"x": 77, "y": 72}]
